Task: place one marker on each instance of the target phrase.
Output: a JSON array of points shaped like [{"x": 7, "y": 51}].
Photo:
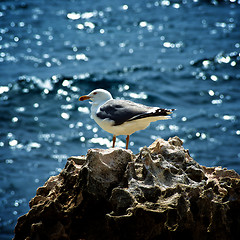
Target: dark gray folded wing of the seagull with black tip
[{"x": 121, "y": 111}]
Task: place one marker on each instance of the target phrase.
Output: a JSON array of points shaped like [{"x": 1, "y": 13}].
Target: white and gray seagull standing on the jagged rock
[{"x": 122, "y": 117}]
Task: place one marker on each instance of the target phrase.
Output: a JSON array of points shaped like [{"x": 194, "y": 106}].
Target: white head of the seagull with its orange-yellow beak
[{"x": 97, "y": 96}]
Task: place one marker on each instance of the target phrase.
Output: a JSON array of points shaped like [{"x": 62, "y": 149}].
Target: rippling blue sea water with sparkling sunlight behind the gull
[{"x": 175, "y": 54}]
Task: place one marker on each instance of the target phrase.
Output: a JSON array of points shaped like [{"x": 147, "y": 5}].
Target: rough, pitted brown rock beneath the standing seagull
[{"x": 160, "y": 193}]
